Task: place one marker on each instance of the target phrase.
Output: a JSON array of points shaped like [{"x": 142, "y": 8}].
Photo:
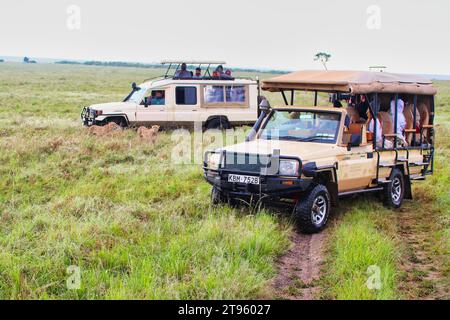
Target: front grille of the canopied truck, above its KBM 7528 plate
[{"x": 246, "y": 162}]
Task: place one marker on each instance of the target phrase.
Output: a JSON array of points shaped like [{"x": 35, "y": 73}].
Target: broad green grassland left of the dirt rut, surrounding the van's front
[{"x": 136, "y": 225}]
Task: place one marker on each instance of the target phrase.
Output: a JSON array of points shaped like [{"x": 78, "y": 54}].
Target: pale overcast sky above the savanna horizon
[{"x": 405, "y": 35}]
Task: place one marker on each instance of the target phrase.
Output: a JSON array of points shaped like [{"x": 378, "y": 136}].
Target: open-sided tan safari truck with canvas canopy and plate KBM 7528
[{"x": 307, "y": 157}]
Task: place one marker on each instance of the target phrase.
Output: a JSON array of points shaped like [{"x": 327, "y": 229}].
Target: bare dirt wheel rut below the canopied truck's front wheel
[{"x": 299, "y": 269}]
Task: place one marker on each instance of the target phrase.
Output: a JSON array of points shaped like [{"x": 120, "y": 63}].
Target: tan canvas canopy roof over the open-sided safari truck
[{"x": 357, "y": 82}]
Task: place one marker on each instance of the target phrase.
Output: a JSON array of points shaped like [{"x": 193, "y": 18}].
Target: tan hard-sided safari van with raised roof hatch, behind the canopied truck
[{"x": 182, "y": 98}]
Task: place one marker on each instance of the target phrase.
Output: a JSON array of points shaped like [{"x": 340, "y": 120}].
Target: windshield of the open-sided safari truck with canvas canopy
[{"x": 305, "y": 126}]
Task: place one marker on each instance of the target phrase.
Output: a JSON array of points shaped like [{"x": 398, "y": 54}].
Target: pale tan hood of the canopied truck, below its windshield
[{"x": 306, "y": 151}]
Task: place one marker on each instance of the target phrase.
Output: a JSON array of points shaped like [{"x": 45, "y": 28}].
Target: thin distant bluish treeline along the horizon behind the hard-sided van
[{"x": 152, "y": 66}]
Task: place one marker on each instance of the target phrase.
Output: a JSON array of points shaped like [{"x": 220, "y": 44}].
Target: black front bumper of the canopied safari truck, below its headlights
[{"x": 270, "y": 186}]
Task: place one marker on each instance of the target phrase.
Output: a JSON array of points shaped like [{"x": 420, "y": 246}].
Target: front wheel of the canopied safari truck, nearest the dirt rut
[{"x": 311, "y": 213}]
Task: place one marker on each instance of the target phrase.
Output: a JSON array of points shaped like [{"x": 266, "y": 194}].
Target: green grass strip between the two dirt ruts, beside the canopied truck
[{"x": 356, "y": 245}]
